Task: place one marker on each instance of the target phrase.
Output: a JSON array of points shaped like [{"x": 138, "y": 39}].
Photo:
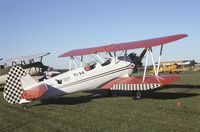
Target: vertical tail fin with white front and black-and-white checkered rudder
[{"x": 15, "y": 85}]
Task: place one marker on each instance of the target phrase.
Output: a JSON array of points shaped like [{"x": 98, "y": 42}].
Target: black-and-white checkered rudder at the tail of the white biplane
[{"x": 13, "y": 89}]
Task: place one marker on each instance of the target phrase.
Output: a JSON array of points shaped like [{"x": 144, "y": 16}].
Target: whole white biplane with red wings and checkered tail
[{"x": 112, "y": 73}]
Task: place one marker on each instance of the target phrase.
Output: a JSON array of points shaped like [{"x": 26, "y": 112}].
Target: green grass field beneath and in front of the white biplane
[{"x": 174, "y": 108}]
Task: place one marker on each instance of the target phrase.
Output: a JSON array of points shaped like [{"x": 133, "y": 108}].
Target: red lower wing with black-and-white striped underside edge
[{"x": 137, "y": 83}]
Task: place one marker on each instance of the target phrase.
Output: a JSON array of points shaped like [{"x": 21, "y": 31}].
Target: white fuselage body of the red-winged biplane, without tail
[{"x": 82, "y": 80}]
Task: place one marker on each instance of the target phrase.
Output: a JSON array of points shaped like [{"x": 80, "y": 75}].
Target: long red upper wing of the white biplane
[{"x": 125, "y": 46}]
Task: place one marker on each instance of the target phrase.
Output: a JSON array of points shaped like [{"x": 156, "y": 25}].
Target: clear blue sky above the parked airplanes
[{"x": 56, "y": 26}]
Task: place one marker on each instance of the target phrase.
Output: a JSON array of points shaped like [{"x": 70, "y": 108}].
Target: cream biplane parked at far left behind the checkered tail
[{"x": 32, "y": 64}]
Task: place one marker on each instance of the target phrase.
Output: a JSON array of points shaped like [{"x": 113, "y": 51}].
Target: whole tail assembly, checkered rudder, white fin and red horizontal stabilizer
[{"x": 21, "y": 87}]
